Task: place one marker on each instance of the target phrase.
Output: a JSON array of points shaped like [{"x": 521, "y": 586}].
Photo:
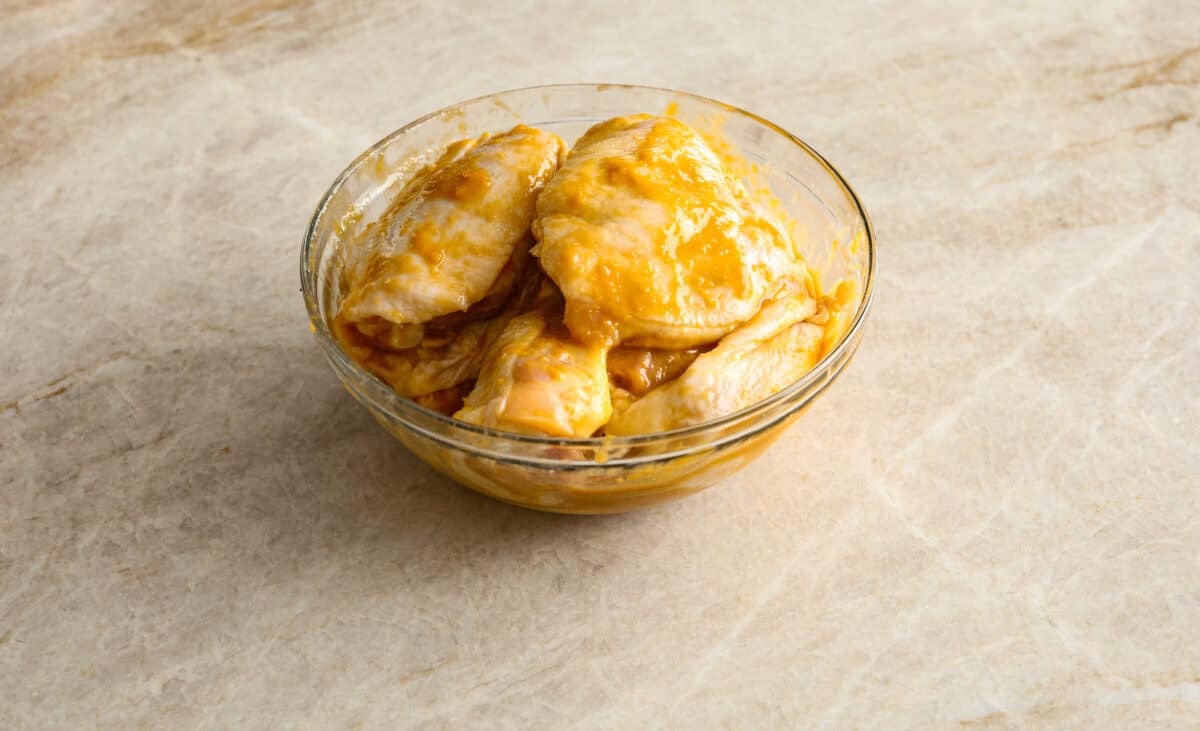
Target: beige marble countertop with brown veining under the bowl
[{"x": 992, "y": 523}]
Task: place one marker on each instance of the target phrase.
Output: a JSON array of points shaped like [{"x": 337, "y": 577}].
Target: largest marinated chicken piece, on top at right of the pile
[{"x": 653, "y": 242}]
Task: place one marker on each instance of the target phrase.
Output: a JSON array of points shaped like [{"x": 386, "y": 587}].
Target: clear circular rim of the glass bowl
[{"x": 383, "y": 398}]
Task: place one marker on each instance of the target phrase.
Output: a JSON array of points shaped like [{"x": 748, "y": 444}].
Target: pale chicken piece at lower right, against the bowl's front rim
[{"x": 754, "y": 362}]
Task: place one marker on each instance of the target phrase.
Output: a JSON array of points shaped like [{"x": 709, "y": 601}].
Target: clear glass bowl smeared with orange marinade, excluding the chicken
[{"x": 607, "y": 475}]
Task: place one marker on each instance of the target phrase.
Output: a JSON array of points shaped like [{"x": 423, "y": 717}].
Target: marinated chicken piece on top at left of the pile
[{"x": 445, "y": 243}]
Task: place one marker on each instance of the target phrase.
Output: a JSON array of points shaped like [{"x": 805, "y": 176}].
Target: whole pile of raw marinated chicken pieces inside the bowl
[{"x": 629, "y": 287}]
